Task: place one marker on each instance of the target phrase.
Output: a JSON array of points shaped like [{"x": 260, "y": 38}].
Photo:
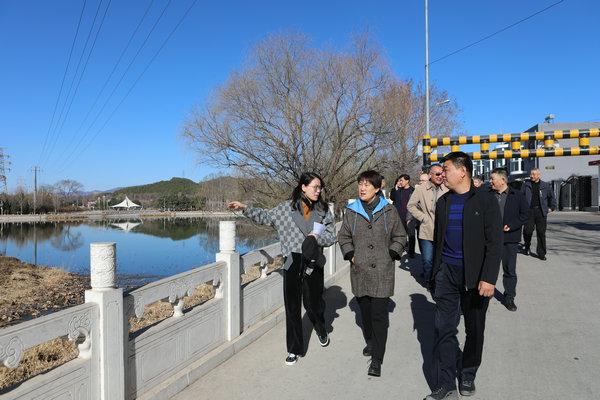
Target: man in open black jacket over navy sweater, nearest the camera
[{"x": 467, "y": 254}]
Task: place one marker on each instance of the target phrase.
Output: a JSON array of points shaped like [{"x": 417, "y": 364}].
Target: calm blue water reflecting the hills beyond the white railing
[{"x": 147, "y": 249}]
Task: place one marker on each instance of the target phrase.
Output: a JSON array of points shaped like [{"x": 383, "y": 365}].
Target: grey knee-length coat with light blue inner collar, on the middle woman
[{"x": 369, "y": 241}]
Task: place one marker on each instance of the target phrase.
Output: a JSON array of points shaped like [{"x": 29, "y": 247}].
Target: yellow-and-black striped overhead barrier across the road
[{"x": 515, "y": 139}]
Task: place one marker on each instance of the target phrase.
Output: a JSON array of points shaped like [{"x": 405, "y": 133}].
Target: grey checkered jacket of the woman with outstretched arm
[{"x": 293, "y": 228}]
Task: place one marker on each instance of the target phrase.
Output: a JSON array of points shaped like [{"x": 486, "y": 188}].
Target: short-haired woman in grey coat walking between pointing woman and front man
[{"x": 372, "y": 237}]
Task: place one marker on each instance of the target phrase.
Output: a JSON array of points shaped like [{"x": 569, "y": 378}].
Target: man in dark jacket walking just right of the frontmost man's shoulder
[{"x": 515, "y": 212}]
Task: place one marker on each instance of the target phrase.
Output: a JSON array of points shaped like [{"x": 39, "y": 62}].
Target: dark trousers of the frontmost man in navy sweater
[{"x": 451, "y": 299}]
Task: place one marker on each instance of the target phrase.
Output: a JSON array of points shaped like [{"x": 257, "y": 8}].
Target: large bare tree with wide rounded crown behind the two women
[{"x": 292, "y": 107}]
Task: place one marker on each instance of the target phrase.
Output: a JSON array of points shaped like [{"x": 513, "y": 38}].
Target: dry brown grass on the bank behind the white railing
[{"x": 27, "y": 289}]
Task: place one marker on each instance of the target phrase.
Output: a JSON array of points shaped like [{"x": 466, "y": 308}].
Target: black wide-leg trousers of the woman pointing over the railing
[{"x": 297, "y": 288}]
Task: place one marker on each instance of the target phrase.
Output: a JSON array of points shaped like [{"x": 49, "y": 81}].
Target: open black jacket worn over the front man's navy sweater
[{"x": 482, "y": 236}]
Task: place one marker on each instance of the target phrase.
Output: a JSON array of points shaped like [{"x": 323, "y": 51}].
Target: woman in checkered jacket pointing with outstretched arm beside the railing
[{"x": 305, "y": 225}]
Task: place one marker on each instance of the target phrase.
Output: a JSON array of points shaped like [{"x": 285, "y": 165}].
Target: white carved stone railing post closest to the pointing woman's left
[{"x": 228, "y": 254}]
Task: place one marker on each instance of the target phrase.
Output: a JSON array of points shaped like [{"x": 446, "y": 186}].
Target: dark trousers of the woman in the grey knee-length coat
[{"x": 375, "y": 320}]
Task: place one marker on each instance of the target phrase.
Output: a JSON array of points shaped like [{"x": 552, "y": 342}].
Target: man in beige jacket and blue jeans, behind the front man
[{"x": 422, "y": 206}]
